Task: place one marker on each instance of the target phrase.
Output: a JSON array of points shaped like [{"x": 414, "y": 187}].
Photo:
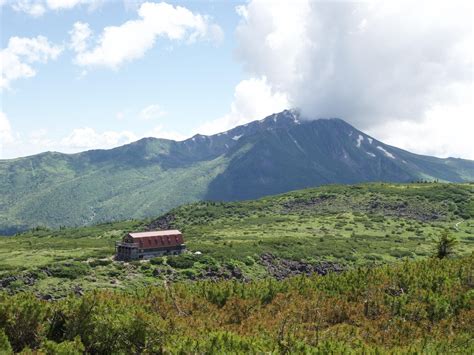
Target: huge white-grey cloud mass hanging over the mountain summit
[{"x": 370, "y": 63}]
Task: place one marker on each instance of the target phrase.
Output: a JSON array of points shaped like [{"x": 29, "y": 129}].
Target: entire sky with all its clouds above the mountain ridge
[{"x": 88, "y": 74}]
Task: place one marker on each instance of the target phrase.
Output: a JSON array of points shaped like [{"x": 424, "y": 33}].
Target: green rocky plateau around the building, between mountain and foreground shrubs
[{"x": 330, "y": 228}]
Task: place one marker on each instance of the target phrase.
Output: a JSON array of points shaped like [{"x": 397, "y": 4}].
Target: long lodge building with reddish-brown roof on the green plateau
[{"x": 146, "y": 245}]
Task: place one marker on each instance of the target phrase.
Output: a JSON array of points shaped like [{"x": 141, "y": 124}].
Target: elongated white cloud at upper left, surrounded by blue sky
[{"x": 129, "y": 41}]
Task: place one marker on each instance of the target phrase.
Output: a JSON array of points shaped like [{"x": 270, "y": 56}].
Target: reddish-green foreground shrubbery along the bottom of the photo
[{"x": 425, "y": 306}]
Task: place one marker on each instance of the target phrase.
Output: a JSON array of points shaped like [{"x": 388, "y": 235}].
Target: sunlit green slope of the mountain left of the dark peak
[{"x": 55, "y": 190}]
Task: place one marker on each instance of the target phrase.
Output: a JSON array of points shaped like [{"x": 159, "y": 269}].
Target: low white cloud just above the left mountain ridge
[{"x": 88, "y": 138}]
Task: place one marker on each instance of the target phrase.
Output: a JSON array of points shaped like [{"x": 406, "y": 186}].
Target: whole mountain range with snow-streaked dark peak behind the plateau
[{"x": 279, "y": 153}]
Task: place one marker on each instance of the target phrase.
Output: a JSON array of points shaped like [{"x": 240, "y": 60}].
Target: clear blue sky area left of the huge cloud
[{"x": 191, "y": 83}]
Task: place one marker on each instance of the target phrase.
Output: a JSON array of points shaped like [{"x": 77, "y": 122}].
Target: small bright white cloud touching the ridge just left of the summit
[{"x": 253, "y": 99}]
